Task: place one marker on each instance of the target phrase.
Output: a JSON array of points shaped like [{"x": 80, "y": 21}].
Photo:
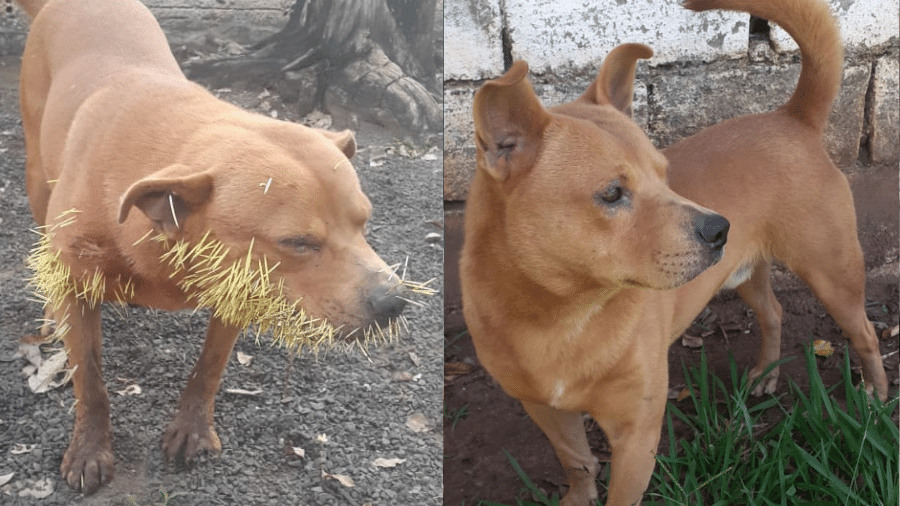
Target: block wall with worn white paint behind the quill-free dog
[{"x": 706, "y": 68}]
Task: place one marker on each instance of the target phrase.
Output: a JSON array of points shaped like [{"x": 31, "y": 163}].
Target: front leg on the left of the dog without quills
[{"x": 565, "y": 430}]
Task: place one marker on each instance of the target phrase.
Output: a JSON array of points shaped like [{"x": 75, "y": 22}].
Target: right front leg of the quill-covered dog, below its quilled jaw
[{"x": 192, "y": 429}]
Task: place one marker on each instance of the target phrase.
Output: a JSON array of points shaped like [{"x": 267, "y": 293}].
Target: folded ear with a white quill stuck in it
[{"x": 168, "y": 196}]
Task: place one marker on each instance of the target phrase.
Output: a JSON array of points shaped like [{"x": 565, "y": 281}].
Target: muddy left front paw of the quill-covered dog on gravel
[{"x": 88, "y": 463}]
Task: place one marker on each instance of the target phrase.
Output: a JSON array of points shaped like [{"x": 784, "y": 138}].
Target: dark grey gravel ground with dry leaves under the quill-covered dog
[{"x": 344, "y": 410}]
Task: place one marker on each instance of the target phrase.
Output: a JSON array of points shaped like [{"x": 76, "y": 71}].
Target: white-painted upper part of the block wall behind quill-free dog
[{"x": 552, "y": 34}]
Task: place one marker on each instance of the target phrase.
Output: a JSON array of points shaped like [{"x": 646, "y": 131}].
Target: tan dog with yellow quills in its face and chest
[{"x": 120, "y": 145}]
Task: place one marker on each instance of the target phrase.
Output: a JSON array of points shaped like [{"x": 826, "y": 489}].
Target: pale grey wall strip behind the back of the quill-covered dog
[{"x": 186, "y": 22}]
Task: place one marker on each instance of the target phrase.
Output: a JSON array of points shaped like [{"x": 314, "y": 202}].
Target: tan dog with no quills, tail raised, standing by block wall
[{"x": 587, "y": 251}]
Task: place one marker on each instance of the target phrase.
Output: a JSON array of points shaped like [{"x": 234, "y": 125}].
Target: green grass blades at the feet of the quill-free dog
[{"x": 802, "y": 448}]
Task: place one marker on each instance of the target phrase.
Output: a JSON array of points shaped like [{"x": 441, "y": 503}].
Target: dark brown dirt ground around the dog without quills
[{"x": 475, "y": 467}]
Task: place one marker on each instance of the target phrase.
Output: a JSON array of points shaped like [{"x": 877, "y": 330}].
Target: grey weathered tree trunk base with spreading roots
[{"x": 367, "y": 59}]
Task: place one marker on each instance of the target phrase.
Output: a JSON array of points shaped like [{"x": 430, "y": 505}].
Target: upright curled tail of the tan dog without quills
[{"x": 811, "y": 24}]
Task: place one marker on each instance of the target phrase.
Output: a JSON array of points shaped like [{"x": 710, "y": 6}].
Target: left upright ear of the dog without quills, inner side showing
[{"x": 509, "y": 123}]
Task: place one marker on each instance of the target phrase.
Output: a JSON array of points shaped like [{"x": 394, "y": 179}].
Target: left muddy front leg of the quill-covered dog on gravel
[{"x": 88, "y": 463}]
